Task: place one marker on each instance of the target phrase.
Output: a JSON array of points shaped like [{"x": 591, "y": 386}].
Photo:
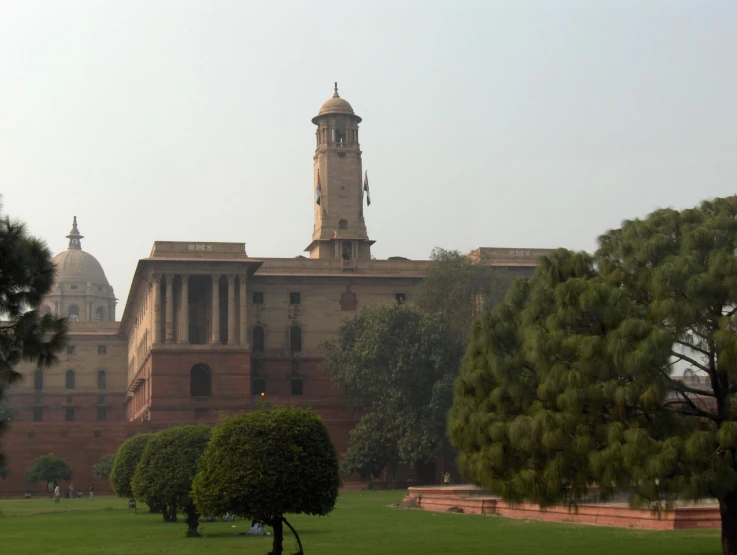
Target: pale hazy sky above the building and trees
[{"x": 509, "y": 124}]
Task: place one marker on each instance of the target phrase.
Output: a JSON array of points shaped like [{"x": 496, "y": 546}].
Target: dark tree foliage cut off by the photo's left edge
[{"x": 26, "y": 275}]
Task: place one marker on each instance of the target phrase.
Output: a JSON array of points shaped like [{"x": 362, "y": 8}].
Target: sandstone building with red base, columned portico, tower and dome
[{"x": 208, "y": 330}]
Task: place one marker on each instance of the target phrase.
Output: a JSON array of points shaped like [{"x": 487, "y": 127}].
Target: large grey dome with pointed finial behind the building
[{"x": 81, "y": 291}]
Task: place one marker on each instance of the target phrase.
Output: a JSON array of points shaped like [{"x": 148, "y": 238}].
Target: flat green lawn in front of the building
[{"x": 362, "y": 523}]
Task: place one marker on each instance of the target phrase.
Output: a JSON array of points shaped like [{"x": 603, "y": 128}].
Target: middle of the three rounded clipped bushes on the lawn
[{"x": 167, "y": 467}]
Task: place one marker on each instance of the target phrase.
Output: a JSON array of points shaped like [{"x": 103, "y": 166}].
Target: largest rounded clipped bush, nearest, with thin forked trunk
[{"x": 266, "y": 464}]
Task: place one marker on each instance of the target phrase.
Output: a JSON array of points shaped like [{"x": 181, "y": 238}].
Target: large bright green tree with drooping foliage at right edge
[{"x": 573, "y": 380}]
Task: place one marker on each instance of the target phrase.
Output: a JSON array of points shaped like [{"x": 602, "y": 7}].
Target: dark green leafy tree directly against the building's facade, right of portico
[{"x": 397, "y": 365}]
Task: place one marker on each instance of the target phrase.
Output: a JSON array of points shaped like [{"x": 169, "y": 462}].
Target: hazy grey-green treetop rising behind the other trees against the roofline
[{"x": 461, "y": 288}]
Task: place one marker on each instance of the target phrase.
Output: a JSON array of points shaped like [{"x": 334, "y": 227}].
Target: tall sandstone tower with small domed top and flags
[{"x": 340, "y": 229}]
